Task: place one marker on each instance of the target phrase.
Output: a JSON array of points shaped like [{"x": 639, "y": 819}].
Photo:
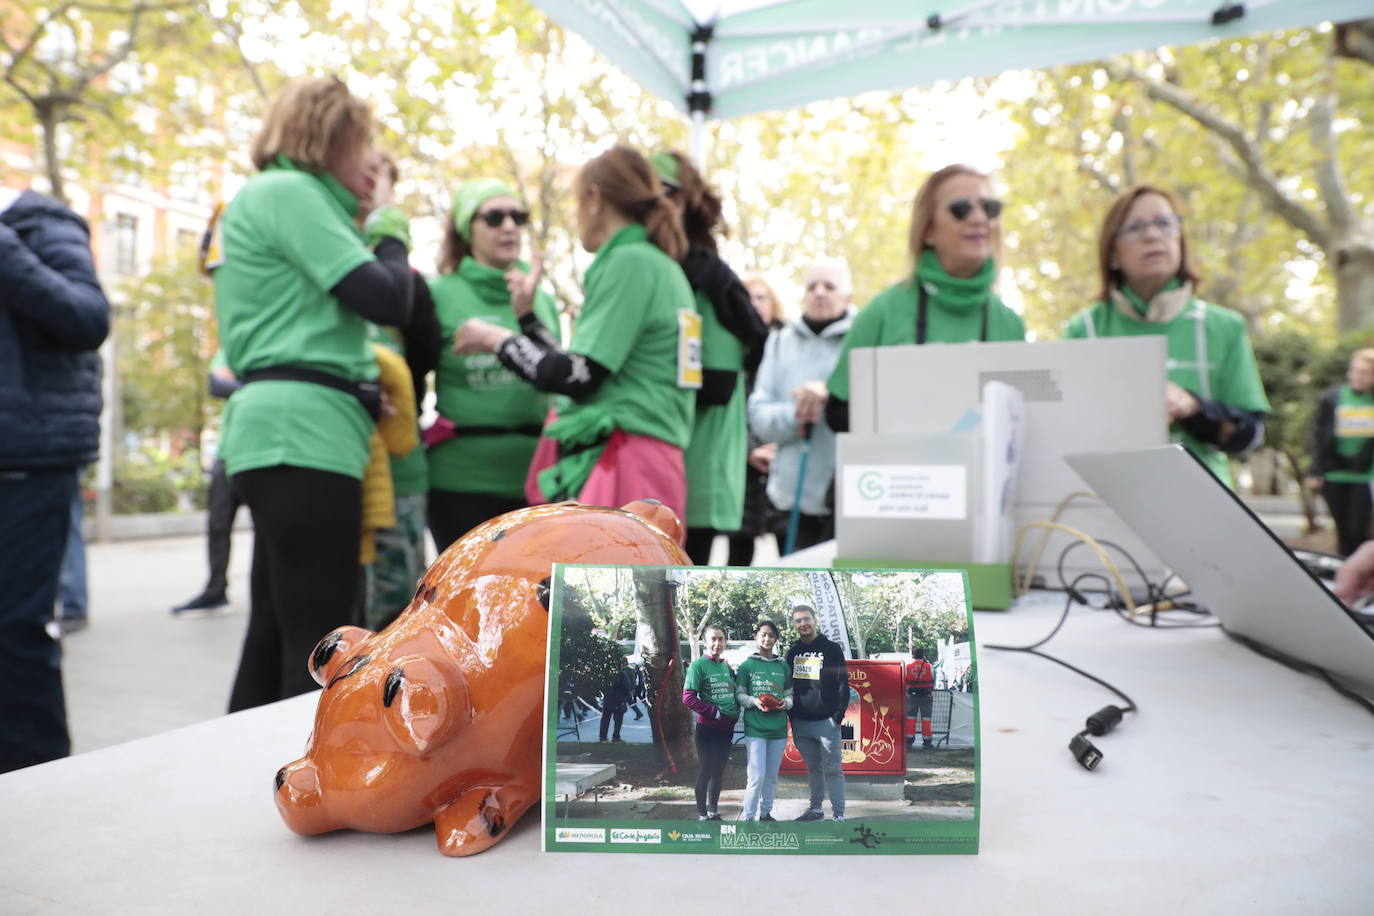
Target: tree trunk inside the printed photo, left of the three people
[{"x": 670, "y": 720}]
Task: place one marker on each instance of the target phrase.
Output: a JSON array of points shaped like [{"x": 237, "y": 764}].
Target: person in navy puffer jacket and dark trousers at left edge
[{"x": 53, "y": 318}]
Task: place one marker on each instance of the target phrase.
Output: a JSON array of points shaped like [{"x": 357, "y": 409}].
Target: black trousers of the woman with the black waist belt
[{"x": 304, "y": 583}]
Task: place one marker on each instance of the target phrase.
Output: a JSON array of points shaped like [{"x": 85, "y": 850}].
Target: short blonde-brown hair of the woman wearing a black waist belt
[{"x": 308, "y": 122}]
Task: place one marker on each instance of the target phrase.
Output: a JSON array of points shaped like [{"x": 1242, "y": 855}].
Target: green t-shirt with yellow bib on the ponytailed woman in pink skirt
[{"x": 640, "y": 321}]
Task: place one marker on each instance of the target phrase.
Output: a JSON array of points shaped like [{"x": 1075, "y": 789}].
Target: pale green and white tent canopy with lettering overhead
[{"x": 726, "y": 60}]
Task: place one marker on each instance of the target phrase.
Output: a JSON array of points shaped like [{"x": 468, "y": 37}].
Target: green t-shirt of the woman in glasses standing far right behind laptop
[{"x": 1210, "y": 355}]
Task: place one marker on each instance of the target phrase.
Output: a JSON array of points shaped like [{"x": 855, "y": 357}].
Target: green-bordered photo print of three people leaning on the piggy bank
[{"x": 813, "y": 672}]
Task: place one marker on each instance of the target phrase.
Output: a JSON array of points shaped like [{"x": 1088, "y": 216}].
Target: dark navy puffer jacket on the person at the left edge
[{"x": 53, "y": 319}]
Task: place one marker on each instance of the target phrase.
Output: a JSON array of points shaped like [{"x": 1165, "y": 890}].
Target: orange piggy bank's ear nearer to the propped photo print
[{"x": 424, "y": 702}]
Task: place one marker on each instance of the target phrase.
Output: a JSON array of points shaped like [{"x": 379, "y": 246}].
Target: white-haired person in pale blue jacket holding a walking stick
[{"x": 791, "y": 395}]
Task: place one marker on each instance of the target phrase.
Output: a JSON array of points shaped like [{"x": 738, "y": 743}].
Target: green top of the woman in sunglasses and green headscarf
[{"x": 477, "y": 391}]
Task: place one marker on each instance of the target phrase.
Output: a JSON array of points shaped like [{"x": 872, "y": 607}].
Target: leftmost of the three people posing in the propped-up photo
[{"x": 710, "y": 691}]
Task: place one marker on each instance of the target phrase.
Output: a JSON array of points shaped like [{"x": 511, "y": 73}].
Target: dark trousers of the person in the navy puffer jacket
[{"x": 35, "y": 514}]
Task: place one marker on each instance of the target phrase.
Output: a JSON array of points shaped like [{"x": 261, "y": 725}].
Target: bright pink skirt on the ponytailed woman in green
[{"x": 633, "y": 468}]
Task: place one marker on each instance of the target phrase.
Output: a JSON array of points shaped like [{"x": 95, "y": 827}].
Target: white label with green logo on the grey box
[{"x": 906, "y": 491}]
